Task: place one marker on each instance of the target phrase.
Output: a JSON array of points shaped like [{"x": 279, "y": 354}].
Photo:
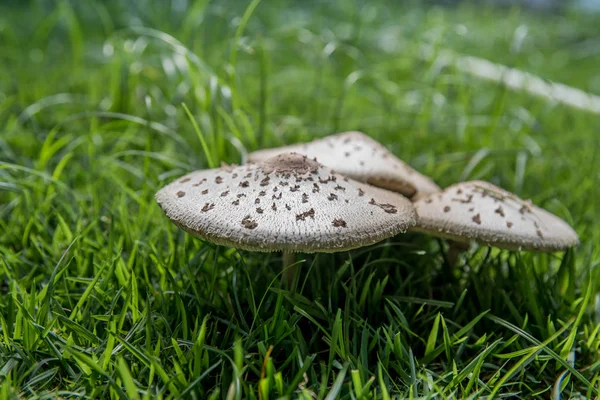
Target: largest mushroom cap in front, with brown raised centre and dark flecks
[{"x": 288, "y": 202}]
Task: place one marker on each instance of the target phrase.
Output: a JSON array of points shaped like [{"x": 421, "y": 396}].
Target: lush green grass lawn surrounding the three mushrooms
[{"x": 102, "y": 103}]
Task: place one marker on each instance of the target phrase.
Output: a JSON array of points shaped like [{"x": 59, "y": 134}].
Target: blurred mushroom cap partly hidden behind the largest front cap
[{"x": 359, "y": 157}]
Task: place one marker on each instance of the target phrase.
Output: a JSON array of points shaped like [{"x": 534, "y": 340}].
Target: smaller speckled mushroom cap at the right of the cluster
[{"x": 488, "y": 214}]
